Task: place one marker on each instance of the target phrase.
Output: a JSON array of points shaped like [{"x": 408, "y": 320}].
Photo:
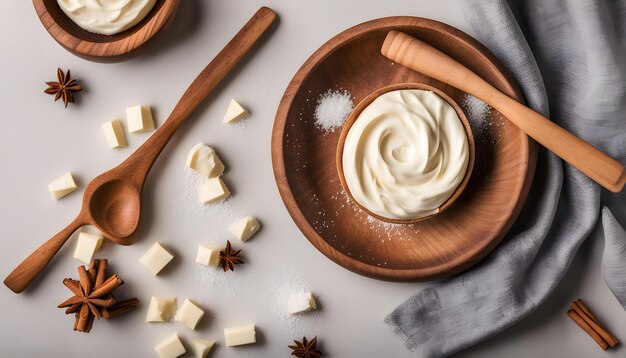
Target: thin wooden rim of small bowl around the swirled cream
[{"x": 366, "y": 102}]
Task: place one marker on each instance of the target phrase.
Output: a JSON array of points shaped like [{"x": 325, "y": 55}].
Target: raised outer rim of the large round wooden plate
[{"x": 508, "y": 86}]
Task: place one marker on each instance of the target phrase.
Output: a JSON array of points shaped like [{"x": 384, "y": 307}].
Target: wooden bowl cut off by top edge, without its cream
[{"x": 105, "y": 48}]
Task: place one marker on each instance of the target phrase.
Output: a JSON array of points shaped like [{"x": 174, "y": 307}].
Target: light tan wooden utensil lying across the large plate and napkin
[{"x": 419, "y": 56}]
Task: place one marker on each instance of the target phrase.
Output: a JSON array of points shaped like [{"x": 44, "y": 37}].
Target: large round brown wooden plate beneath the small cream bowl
[{"x": 304, "y": 160}]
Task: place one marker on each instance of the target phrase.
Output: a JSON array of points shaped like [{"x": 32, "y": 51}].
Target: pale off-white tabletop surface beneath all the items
[{"x": 53, "y": 140}]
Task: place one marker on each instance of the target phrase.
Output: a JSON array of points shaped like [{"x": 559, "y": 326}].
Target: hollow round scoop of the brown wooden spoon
[{"x": 114, "y": 208}]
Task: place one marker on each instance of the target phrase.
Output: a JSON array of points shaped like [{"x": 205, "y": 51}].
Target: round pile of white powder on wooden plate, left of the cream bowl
[{"x": 333, "y": 108}]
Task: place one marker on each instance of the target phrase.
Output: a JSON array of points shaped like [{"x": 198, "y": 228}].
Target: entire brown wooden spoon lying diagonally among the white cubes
[{"x": 111, "y": 201}]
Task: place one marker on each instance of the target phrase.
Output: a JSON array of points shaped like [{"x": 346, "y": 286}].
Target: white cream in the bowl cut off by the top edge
[{"x": 107, "y": 17}]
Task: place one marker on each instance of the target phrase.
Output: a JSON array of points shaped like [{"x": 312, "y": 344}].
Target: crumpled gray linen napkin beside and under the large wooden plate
[{"x": 569, "y": 56}]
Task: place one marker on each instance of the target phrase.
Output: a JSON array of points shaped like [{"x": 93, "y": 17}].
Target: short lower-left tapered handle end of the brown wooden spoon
[{"x": 32, "y": 266}]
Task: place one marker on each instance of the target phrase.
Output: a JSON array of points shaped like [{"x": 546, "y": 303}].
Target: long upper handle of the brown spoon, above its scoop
[{"x": 143, "y": 159}]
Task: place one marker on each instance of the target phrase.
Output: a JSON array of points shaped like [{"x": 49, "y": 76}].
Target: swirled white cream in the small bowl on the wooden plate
[{"x": 405, "y": 154}]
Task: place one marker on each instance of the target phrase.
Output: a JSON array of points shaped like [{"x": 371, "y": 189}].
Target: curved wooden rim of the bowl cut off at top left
[{"x": 114, "y": 48}]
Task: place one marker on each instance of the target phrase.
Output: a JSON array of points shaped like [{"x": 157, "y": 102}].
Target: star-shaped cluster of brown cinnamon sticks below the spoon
[{"x": 93, "y": 296}]
